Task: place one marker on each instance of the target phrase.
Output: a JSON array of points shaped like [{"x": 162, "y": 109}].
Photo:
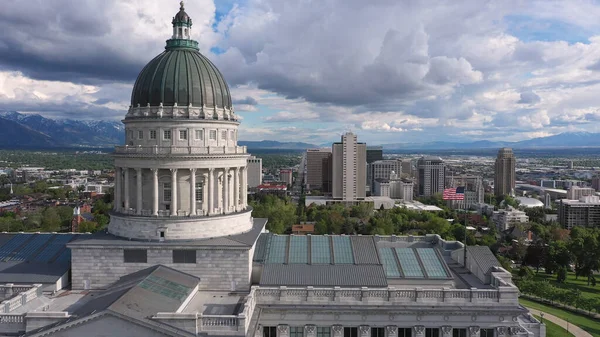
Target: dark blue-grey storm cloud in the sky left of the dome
[{"x": 64, "y": 41}]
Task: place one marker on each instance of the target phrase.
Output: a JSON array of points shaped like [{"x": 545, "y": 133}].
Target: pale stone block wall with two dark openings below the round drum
[{"x": 218, "y": 269}]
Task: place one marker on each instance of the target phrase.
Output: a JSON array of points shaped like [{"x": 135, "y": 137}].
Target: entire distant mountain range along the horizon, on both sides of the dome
[{"x": 19, "y": 130}]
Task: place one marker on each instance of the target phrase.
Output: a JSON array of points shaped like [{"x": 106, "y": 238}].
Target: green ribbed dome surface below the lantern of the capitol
[{"x": 182, "y": 76}]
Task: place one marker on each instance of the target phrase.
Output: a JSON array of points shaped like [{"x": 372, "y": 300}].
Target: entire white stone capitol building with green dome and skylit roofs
[{"x": 183, "y": 256}]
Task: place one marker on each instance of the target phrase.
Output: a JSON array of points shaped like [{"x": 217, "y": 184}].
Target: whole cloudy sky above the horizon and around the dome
[{"x": 390, "y": 71}]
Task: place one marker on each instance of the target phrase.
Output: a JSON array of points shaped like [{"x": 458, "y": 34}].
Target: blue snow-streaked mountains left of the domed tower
[{"x": 19, "y": 130}]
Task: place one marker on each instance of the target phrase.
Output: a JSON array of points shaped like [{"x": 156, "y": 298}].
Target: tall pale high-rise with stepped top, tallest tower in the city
[{"x": 348, "y": 164}]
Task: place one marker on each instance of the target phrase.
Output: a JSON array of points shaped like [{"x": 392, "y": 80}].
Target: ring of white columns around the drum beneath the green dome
[{"x": 216, "y": 184}]
